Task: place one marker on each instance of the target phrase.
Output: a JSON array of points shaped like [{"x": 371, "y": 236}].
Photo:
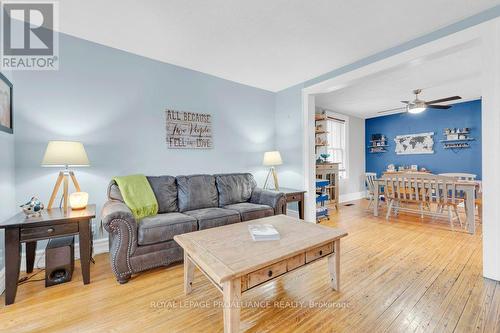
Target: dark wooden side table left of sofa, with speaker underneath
[{"x": 52, "y": 223}]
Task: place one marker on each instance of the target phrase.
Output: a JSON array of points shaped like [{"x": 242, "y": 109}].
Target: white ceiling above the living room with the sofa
[{"x": 270, "y": 44}]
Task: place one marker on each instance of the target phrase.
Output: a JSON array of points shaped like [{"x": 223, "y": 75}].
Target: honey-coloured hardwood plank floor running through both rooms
[{"x": 397, "y": 276}]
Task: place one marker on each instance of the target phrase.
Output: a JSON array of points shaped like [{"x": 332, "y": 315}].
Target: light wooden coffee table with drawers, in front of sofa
[{"x": 235, "y": 263}]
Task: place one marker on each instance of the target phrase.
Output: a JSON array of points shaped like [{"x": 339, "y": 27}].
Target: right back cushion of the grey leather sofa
[{"x": 234, "y": 188}]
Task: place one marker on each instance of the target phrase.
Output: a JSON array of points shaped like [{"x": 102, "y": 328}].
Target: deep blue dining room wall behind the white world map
[{"x": 467, "y": 114}]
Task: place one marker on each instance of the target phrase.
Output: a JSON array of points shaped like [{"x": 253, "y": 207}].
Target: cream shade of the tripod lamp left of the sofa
[{"x": 65, "y": 154}]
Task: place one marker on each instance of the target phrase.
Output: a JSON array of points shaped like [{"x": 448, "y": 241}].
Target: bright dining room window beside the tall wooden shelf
[{"x": 336, "y": 127}]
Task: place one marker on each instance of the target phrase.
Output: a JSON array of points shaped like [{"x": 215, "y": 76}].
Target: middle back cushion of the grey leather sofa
[{"x": 196, "y": 192}]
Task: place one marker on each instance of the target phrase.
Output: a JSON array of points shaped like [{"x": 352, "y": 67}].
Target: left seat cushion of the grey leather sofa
[{"x": 163, "y": 227}]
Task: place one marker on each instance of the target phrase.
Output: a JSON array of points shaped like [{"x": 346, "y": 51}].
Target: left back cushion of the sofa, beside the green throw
[{"x": 165, "y": 190}]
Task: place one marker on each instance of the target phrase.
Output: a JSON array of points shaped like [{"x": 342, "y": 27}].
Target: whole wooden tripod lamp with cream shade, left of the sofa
[{"x": 64, "y": 154}]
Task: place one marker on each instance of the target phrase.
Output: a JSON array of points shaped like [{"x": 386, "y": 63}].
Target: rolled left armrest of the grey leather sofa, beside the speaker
[{"x": 121, "y": 225}]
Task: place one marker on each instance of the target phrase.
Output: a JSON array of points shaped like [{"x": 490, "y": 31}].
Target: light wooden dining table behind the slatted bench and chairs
[{"x": 468, "y": 188}]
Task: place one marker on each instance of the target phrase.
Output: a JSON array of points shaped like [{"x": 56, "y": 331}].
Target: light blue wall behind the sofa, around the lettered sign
[{"x": 114, "y": 103}]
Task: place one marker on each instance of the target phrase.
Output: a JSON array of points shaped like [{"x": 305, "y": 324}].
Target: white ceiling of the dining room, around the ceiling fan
[{"x": 448, "y": 74}]
